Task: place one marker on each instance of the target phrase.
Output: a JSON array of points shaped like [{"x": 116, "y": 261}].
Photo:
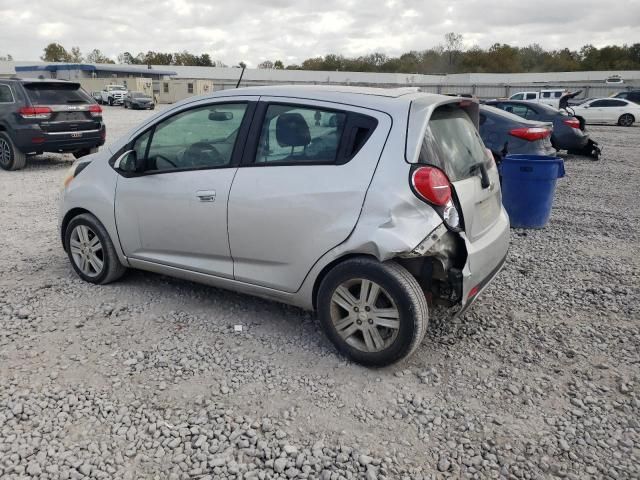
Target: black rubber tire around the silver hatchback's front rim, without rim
[{"x": 112, "y": 268}]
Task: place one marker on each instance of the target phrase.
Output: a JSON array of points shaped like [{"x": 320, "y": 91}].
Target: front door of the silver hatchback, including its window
[{"x": 175, "y": 211}]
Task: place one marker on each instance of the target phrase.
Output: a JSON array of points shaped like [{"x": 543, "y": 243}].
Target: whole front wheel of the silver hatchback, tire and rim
[{"x": 91, "y": 251}]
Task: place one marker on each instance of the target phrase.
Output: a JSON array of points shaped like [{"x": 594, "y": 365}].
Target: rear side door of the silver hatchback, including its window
[{"x": 300, "y": 189}]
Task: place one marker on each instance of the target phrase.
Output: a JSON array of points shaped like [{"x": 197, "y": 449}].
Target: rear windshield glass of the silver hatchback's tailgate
[{"x": 452, "y": 143}]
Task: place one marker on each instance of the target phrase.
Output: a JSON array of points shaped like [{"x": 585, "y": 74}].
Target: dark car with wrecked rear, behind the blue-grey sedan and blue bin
[{"x": 568, "y": 131}]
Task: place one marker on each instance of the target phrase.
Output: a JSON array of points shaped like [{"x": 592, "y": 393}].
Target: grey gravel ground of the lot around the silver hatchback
[{"x": 146, "y": 378}]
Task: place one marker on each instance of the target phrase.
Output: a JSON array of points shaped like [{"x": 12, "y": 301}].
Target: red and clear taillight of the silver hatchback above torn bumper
[{"x": 432, "y": 185}]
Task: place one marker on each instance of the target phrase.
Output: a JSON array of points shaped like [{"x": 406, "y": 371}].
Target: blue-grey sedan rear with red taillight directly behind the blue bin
[{"x": 504, "y": 133}]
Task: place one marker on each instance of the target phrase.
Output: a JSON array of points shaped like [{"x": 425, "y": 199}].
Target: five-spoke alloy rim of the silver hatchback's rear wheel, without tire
[{"x": 364, "y": 315}]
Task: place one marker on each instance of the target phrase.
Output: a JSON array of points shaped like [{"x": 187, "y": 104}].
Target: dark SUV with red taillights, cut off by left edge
[{"x": 38, "y": 116}]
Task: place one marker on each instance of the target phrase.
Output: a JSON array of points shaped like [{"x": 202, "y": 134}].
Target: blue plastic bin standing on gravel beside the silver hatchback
[{"x": 528, "y": 187}]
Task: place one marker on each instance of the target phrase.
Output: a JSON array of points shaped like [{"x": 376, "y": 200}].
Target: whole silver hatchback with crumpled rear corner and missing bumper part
[{"x": 366, "y": 205}]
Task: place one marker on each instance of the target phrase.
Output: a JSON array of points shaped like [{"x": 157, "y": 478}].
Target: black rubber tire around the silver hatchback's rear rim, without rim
[{"x": 402, "y": 288}]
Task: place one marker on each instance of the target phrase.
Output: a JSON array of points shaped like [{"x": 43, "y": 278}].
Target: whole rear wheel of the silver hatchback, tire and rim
[{"x": 374, "y": 313}]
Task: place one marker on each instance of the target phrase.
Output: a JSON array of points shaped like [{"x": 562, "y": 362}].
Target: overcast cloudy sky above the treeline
[{"x": 292, "y": 30}]
